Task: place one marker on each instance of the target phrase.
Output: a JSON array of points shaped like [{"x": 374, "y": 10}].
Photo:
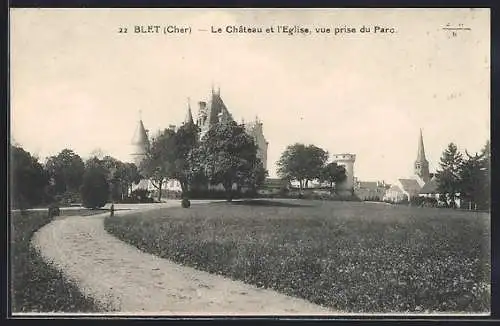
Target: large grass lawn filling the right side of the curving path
[{"x": 354, "y": 257}]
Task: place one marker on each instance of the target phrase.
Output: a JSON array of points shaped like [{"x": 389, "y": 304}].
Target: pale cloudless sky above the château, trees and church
[{"x": 76, "y": 82}]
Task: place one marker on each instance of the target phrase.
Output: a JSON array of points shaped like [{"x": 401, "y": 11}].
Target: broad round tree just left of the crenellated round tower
[{"x": 302, "y": 163}]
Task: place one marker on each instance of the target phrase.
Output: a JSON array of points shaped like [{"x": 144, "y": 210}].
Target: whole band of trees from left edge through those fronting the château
[{"x": 225, "y": 155}]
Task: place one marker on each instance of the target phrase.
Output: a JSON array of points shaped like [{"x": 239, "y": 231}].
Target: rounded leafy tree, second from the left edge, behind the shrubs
[{"x": 66, "y": 170}]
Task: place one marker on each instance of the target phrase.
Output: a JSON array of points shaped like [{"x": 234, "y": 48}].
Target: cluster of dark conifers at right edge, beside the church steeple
[{"x": 465, "y": 177}]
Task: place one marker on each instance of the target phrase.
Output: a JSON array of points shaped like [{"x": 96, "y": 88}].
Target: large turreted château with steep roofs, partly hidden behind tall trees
[{"x": 210, "y": 113}]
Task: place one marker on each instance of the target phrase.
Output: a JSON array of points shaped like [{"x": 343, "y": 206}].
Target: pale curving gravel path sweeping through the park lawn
[{"x": 124, "y": 279}]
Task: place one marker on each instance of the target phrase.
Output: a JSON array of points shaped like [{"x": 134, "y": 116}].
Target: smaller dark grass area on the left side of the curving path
[{"x": 36, "y": 285}]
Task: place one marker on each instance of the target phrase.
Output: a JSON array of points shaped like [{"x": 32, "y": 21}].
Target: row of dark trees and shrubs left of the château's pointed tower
[{"x": 65, "y": 178}]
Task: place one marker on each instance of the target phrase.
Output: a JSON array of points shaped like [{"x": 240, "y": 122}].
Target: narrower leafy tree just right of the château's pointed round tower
[{"x": 159, "y": 164}]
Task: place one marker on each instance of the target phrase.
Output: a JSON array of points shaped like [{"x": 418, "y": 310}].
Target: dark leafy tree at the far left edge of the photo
[{"x": 29, "y": 179}]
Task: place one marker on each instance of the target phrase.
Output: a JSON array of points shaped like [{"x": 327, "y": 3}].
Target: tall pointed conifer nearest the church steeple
[{"x": 448, "y": 177}]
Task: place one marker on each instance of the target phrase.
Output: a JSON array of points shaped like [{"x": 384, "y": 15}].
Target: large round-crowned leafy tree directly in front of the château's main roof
[{"x": 227, "y": 155}]
